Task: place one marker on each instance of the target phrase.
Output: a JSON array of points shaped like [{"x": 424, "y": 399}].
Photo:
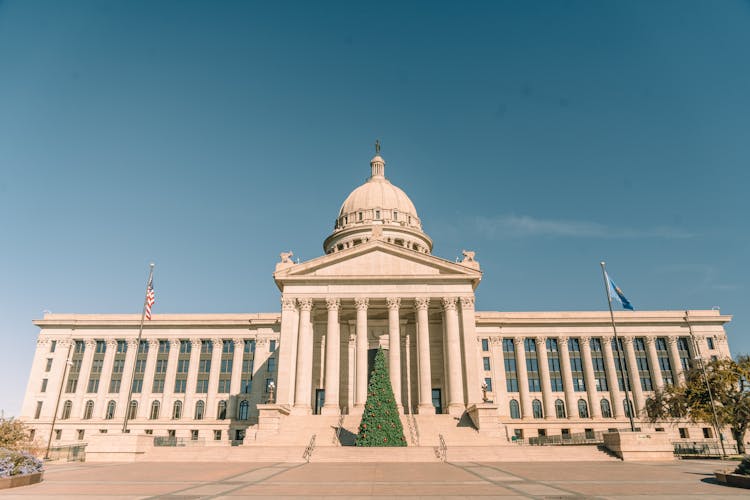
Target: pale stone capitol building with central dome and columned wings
[{"x": 458, "y": 374}]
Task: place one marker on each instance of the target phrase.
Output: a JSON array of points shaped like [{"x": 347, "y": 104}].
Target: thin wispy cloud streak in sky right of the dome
[{"x": 525, "y": 226}]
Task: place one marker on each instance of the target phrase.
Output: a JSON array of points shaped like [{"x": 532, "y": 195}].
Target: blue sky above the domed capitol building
[{"x": 210, "y": 136}]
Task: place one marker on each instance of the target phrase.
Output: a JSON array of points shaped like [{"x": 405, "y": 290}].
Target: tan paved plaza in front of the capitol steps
[{"x": 406, "y": 480}]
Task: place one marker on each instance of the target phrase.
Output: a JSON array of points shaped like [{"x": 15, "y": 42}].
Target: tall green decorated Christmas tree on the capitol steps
[{"x": 380, "y": 424}]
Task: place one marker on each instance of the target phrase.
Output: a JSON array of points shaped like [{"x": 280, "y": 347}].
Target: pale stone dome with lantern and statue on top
[{"x": 379, "y": 203}]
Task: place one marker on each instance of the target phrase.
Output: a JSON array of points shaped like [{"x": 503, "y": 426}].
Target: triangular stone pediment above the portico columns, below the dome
[{"x": 377, "y": 260}]
